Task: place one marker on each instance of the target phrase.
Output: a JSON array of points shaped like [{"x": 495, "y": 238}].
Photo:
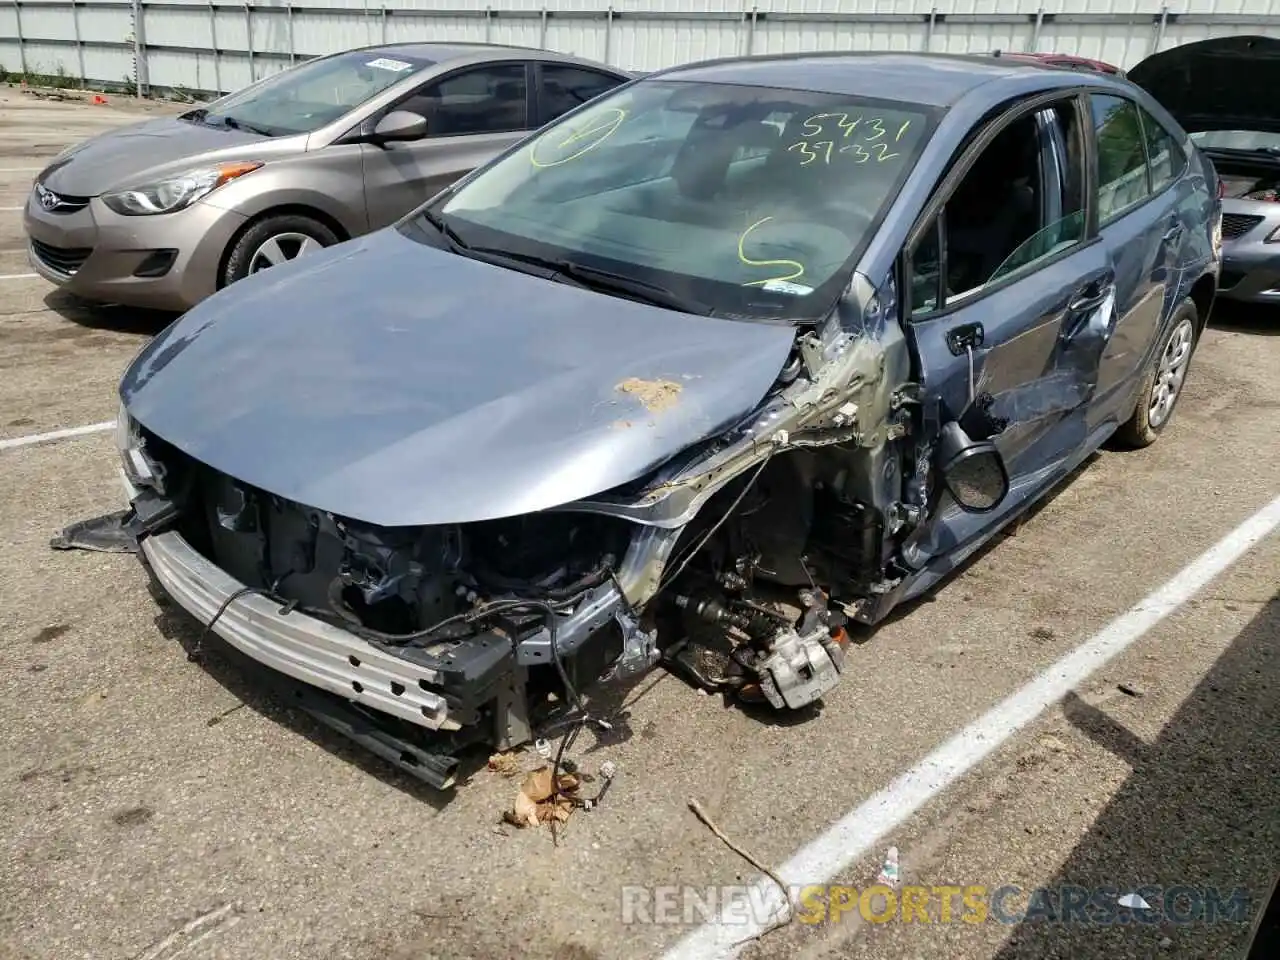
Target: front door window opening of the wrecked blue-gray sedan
[{"x": 1021, "y": 203}]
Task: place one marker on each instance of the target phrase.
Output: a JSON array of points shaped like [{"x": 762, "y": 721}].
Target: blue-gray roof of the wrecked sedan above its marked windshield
[{"x": 934, "y": 80}]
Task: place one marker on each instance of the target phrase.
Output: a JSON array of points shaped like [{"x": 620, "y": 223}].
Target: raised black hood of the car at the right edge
[{"x": 1217, "y": 85}]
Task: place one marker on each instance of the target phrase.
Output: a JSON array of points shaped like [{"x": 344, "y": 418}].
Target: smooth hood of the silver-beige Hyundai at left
[{"x": 124, "y": 157}]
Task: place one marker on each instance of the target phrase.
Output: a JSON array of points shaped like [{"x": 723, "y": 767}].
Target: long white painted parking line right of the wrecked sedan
[{"x": 863, "y": 828}]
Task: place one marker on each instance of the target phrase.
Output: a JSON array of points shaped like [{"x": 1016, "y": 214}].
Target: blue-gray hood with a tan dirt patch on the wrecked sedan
[{"x": 390, "y": 382}]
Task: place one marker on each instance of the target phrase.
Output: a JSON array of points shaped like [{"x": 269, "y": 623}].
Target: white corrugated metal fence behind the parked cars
[{"x": 216, "y": 45}]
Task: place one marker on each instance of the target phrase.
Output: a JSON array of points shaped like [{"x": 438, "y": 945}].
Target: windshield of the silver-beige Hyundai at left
[{"x": 309, "y": 97}]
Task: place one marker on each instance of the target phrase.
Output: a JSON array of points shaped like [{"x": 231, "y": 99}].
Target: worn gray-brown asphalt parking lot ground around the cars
[{"x": 153, "y": 808}]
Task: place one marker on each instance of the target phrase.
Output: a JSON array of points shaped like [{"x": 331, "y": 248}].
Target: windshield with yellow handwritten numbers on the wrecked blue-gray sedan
[{"x": 753, "y": 203}]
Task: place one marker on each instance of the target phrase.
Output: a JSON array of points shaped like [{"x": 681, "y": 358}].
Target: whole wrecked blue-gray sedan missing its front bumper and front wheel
[{"x": 708, "y": 374}]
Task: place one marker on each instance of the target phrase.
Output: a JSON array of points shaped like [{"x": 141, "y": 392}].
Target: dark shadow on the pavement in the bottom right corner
[{"x": 1201, "y": 811}]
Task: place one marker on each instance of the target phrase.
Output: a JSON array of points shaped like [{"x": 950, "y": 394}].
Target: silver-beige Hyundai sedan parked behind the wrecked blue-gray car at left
[{"x": 164, "y": 213}]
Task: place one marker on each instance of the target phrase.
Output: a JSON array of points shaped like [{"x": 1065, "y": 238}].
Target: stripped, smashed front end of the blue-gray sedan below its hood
[{"x": 738, "y": 564}]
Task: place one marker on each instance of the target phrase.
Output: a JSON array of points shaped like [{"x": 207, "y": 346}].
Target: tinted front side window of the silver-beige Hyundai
[{"x": 484, "y": 100}]
